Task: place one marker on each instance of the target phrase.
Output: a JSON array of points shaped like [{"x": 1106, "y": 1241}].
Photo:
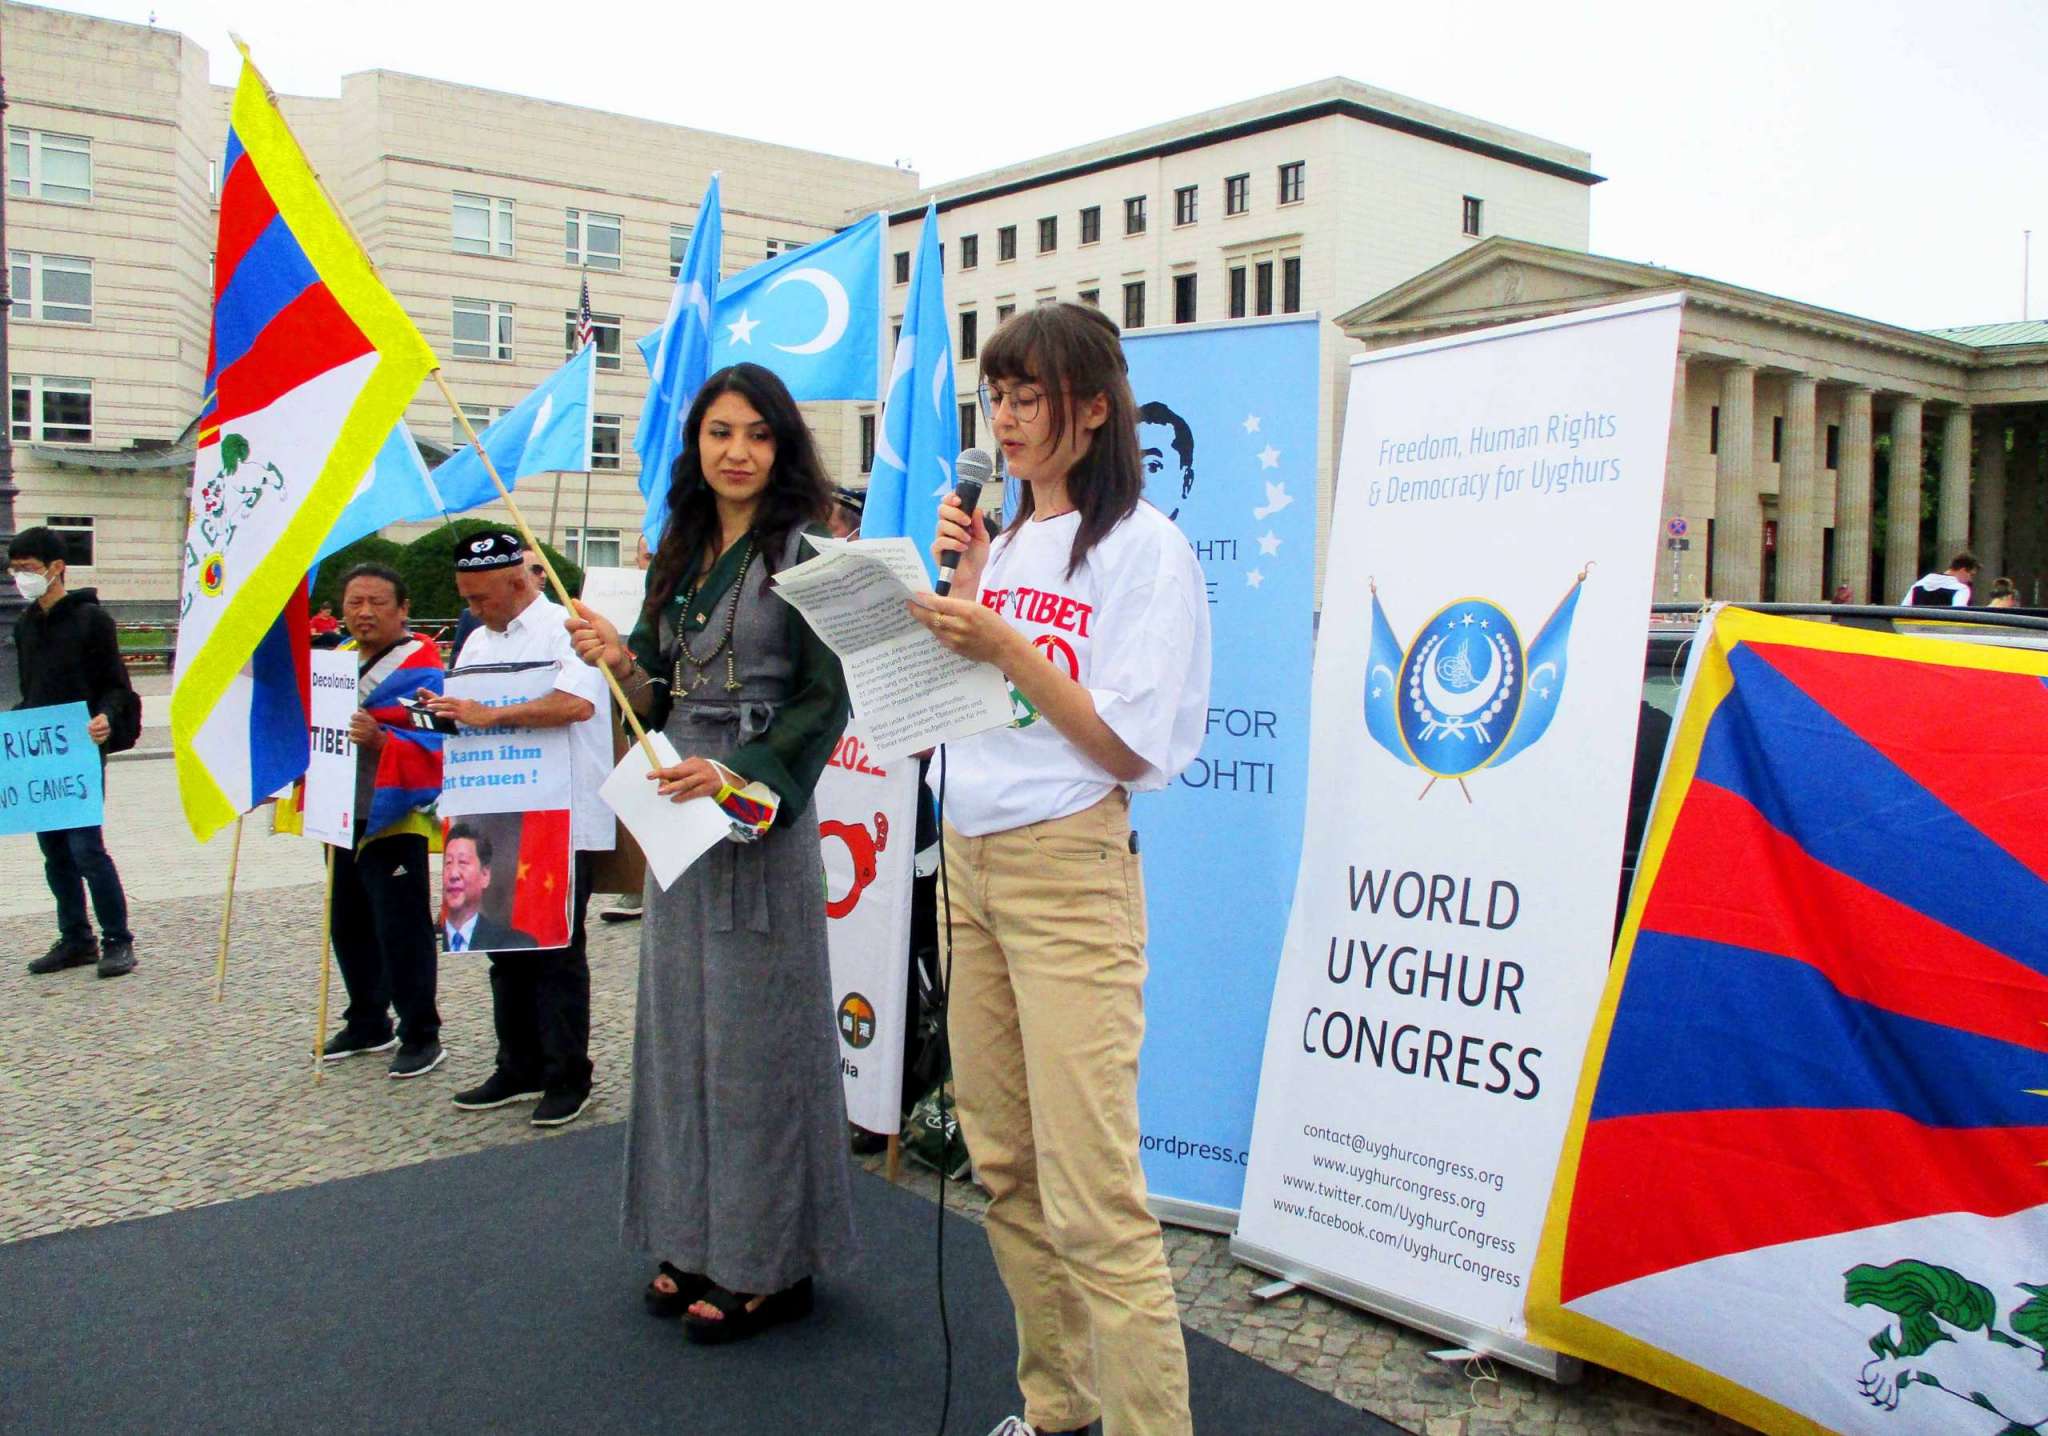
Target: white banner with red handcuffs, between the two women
[{"x": 867, "y": 833}]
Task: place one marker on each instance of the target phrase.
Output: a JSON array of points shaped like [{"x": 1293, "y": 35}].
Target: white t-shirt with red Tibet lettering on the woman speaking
[{"x": 1132, "y": 626}]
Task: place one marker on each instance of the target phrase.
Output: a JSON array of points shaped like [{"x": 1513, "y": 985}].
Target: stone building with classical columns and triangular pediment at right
[{"x": 1809, "y": 450}]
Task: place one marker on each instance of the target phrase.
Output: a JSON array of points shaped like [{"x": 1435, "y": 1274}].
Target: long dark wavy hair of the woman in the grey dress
[{"x": 798, "y": 495}]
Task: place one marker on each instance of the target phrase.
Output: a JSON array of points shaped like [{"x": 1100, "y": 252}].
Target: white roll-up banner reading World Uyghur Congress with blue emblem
[{"x": 1471, "y": 736}]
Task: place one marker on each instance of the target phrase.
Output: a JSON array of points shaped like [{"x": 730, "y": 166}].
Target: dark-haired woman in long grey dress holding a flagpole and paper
[{"x": 736, "y": 1150}]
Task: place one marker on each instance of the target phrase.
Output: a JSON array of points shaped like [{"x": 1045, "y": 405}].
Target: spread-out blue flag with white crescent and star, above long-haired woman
[{"x": 812, "y": 316}]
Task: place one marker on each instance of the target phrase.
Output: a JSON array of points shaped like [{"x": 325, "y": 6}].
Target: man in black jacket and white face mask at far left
[{"x": 71, "y": 654}]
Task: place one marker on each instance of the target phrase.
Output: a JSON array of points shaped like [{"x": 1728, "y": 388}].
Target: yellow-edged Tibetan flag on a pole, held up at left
[{"x": 310, "y": 370}]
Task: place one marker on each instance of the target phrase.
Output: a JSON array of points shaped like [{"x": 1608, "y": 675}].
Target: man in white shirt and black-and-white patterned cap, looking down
[{"x": 540, "y": 999}]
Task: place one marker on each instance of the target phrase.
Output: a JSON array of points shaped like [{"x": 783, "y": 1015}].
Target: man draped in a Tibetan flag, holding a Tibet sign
[{"x": 384, "y": 919}]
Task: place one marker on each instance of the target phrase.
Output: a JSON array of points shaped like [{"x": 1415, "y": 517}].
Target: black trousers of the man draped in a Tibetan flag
[{"x": 384, "y": 939}]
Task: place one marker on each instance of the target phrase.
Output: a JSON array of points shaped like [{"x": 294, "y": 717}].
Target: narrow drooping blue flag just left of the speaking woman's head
[{"x": 921, "y": 433}]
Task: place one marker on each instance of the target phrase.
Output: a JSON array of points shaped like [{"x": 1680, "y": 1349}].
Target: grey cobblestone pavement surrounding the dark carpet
[{"x": 142, "y": 1097}]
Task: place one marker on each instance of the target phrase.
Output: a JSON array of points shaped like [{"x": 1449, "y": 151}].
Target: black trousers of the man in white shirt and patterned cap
[{"x": 542, "y": 1005}]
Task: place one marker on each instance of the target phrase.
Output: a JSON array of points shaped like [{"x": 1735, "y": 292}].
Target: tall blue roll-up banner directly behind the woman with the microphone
[{"x": 1228, "y": 421}]
